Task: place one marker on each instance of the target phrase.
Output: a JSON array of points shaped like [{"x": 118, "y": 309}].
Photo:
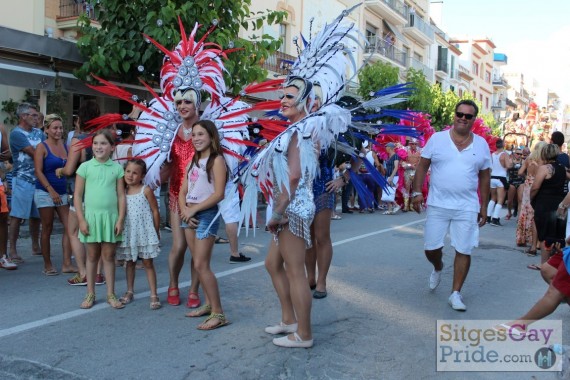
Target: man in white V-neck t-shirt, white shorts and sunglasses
[{"x": 460, "y": 163}]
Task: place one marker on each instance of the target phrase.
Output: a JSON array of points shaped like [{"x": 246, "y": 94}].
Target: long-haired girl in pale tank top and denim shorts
[{"x": 202, "y": 190}]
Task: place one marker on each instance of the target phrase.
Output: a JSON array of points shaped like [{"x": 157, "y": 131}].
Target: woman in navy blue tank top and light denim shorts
[{"x": 51, "y": 191}]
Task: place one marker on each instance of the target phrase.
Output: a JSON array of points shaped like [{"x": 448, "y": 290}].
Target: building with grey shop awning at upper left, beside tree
[{"x": 37, "y": 43}]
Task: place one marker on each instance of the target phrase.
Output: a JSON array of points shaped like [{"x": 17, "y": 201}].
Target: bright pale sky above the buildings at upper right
[{"x": 535, "y": 35}]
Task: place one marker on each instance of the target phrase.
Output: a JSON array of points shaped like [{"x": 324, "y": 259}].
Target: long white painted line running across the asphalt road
[{"x": 76, "y": 313}]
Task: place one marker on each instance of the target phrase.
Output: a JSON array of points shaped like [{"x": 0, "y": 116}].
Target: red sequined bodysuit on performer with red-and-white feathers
[{"x": 180, "y": 154}]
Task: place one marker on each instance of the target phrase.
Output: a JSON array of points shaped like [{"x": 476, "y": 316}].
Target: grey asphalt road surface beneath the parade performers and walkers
[{"x": 378, "y": 321}]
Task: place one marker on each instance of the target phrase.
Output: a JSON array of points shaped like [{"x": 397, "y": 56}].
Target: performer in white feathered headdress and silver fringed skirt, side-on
[{"x": 285, "y": 169}]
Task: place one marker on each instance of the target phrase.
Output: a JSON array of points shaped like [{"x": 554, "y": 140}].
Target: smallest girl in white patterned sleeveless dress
[{"x": 141, "y": 236}]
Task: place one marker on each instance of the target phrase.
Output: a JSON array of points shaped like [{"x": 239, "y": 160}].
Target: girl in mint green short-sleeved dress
[{"x": 100, "y": 182}]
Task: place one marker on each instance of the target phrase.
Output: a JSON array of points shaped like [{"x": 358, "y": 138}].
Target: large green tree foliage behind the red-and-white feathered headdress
[{"x": 118, "y": 50}]
